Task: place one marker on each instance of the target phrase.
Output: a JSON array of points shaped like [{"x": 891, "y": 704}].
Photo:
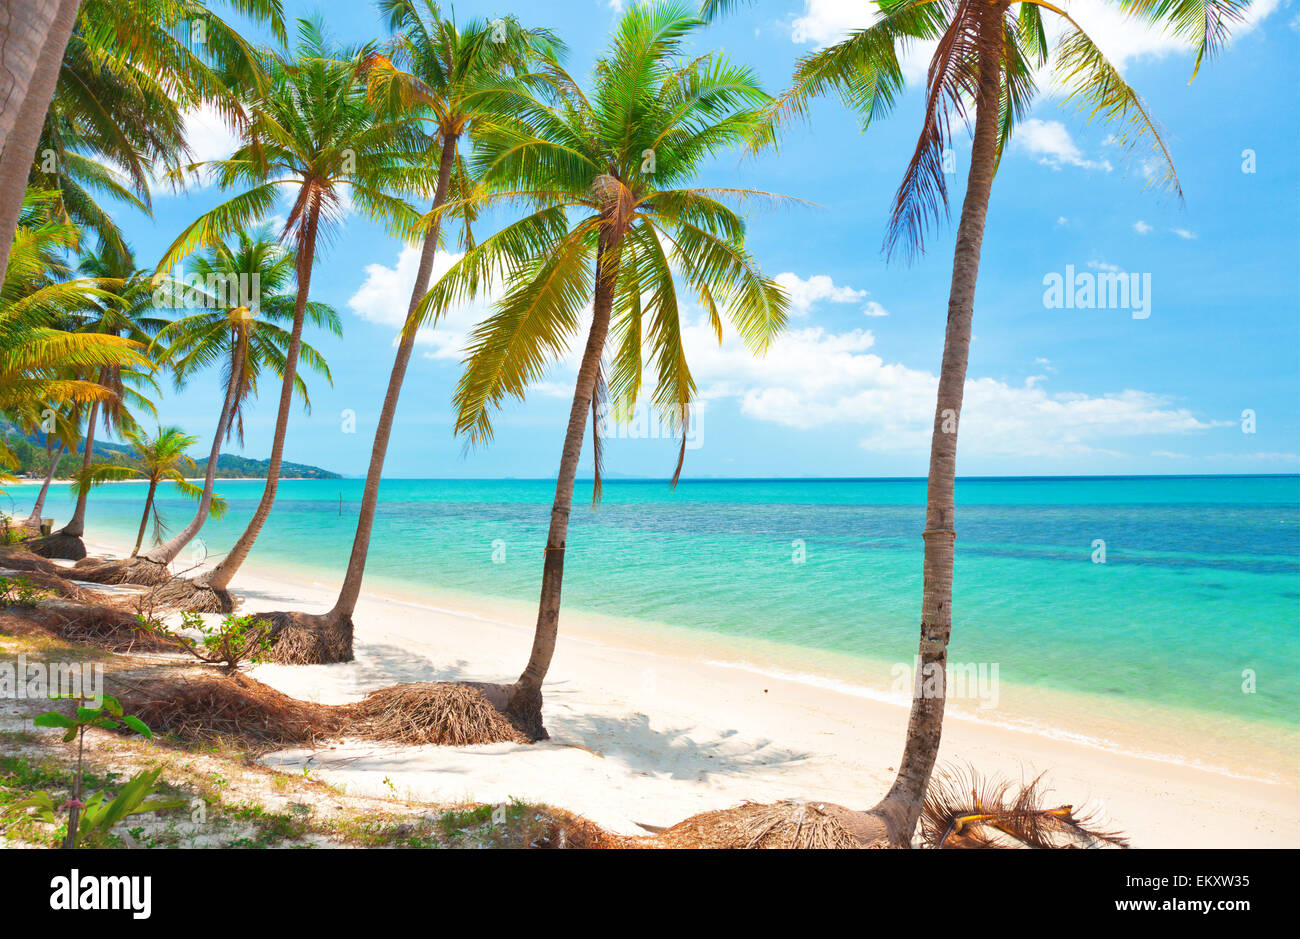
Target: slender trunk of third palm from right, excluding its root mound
[{"x": 352, "y": 590}]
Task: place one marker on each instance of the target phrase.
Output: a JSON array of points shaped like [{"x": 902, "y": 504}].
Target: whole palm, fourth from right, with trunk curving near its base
[{"x": 315, "y": 135}]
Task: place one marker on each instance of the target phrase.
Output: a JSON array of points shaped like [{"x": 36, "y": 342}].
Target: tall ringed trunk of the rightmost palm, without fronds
[{"x": 902, "y": 806}]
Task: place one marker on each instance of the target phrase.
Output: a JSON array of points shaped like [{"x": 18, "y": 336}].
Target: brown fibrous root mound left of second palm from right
[{"x": 447, "y": 713}]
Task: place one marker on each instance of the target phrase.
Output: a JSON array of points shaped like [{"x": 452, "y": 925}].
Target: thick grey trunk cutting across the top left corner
[{"x": 33, "y": 38}]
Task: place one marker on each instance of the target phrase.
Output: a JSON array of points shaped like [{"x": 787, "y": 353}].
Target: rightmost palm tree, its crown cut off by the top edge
[{"x": 987, "y": 57}]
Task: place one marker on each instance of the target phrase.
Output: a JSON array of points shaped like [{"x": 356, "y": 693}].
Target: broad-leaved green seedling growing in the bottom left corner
[{"x": 92, "y": 823}]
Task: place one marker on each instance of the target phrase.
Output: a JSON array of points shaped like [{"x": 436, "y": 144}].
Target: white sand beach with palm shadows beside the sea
[{"x": 642, "y": 734}]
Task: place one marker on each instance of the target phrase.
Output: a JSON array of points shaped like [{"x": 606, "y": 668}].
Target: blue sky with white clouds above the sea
[{"x": 850, "y": 391}]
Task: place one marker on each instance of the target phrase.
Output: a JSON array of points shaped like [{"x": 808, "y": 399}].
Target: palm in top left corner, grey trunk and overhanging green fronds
[{"x": 111, "y": 81}]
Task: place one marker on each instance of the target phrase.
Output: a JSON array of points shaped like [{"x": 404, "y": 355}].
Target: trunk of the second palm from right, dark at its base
[{"x": 526, "y": 698}]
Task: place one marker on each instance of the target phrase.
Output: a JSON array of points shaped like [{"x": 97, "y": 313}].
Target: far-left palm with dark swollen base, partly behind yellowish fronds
[{"x": 128, "y": 313}]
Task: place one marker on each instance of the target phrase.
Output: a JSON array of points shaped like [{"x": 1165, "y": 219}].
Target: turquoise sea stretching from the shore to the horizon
[{"x": 1199, "y": 591}]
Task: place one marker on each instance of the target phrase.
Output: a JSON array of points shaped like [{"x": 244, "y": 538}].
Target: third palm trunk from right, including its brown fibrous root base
[{"x": 306, "y": 639}]
